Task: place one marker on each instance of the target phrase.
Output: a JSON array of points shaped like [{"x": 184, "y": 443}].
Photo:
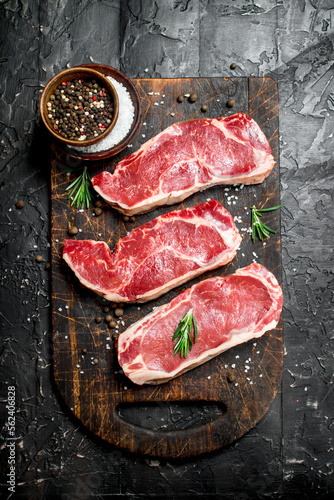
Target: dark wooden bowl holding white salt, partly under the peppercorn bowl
[{"x": 117, "y": 148}]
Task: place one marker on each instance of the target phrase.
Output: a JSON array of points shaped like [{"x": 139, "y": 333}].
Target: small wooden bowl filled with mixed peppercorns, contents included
[{"x": 79, "y": 107}]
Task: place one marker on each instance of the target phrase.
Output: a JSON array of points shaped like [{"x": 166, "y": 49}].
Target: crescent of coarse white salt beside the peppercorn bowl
[{"x": 126, "y": 113}]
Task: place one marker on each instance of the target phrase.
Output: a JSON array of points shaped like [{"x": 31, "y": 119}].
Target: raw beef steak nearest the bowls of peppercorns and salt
[{"x": 185, "y": 158}]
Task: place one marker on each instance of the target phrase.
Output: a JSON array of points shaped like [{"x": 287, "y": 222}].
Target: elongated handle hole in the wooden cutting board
[{"x": 172, "y": 415}]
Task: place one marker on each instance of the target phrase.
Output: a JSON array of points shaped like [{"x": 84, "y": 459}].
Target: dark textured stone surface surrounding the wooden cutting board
[{"x": 289, "y": 454}]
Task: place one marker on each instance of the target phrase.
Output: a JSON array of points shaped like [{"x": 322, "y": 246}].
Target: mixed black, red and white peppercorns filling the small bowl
[{"x": 80, "y": 109}]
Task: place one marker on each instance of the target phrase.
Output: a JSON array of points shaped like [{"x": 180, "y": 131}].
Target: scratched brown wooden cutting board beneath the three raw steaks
[{"x": 242, "y": 382}]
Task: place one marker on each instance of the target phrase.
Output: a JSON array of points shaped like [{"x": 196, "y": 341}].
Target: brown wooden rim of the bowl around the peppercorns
[{"x": 68, "y": 75}]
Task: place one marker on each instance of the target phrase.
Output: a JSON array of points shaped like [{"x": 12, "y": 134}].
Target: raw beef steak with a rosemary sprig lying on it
[{"x": 228, "y": 311}]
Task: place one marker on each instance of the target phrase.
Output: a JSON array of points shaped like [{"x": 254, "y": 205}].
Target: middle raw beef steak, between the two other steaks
[{"x": 157, "y": 256}]
